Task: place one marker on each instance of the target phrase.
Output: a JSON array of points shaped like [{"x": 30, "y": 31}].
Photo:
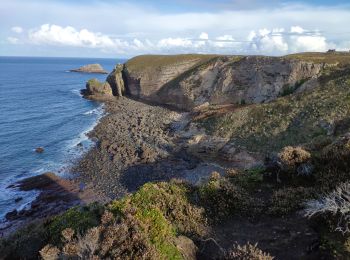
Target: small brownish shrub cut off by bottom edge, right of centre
[{"x": 246, "y": 252}]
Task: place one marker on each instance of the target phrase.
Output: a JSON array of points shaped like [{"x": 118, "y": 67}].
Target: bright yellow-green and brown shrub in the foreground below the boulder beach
[{"x": 163, "y": 210}]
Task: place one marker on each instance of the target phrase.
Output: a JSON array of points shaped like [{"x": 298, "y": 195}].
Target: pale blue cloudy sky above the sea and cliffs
[{"x": 122, "y": 29}]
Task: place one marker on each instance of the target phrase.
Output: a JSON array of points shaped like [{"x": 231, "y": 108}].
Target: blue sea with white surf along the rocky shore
[{"x": 41, "y": 106}]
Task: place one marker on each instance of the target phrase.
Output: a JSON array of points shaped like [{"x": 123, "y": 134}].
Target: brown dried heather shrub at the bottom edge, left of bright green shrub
[{"x": 111, "y": 239}]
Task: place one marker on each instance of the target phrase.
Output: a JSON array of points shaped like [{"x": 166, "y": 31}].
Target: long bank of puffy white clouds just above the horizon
[{"x": 275, "y": 41}]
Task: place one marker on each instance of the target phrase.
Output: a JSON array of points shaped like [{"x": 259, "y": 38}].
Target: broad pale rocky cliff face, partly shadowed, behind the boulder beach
[{"x": 217, "y": 79}]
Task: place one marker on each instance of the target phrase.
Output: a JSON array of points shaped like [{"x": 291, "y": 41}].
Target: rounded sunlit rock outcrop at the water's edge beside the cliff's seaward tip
[{"x": 97, "y": 90}]
